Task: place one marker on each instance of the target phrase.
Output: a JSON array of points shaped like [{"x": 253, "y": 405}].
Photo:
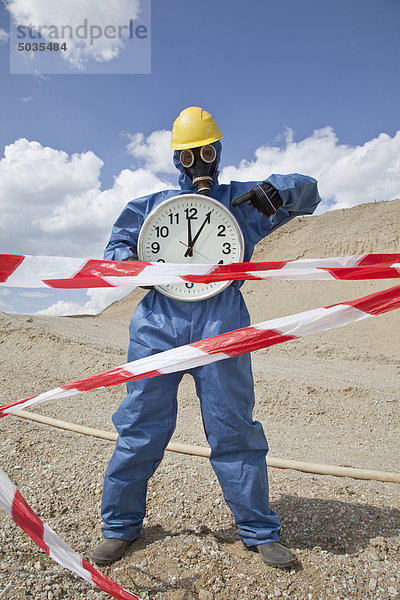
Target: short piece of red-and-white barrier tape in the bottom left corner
[{"x": 58, "y": 550}]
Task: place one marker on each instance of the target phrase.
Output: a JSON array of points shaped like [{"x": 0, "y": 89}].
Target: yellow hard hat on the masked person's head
[{"x": 194, "y": 127}]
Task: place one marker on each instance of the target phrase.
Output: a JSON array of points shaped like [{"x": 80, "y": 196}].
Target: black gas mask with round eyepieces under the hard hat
[{"x": 200, "y": 165}]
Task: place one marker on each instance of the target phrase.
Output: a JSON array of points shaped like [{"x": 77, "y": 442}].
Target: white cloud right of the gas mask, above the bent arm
[{"x": 347, "y": 175}]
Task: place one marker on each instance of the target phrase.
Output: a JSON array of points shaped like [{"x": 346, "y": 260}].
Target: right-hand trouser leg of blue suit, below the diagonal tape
[{"x": 238, "y": 446}]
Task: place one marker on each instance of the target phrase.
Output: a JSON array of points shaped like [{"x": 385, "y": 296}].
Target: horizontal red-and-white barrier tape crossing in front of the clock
[{"x": 17, "y": 270}]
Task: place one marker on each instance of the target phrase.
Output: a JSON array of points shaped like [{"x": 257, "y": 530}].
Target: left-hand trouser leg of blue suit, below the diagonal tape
[{"x": 145, "y": 422}]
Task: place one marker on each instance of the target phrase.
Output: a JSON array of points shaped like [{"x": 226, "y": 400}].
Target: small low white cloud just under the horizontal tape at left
[{"x": 99, "y": 298}]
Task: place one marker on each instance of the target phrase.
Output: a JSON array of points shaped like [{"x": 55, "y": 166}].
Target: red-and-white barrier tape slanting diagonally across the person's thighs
[{"x": 226, "y": 345}]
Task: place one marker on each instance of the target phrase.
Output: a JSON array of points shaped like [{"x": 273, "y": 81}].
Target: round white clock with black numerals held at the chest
[{"x": 191, "y": 228}]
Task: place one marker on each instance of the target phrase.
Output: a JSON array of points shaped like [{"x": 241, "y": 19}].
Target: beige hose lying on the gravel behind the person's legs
[{"x": 278, "y": 463}]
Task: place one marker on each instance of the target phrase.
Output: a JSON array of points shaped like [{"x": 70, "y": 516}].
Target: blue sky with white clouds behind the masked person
[{"x": 272, "y": 72}]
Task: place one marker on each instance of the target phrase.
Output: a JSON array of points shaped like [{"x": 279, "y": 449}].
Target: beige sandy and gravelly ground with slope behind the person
[{"x": 331, "y": 397}]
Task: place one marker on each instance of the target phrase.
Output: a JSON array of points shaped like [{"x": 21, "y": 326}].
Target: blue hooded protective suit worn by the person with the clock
[{"x": 146, "y": 418}]
